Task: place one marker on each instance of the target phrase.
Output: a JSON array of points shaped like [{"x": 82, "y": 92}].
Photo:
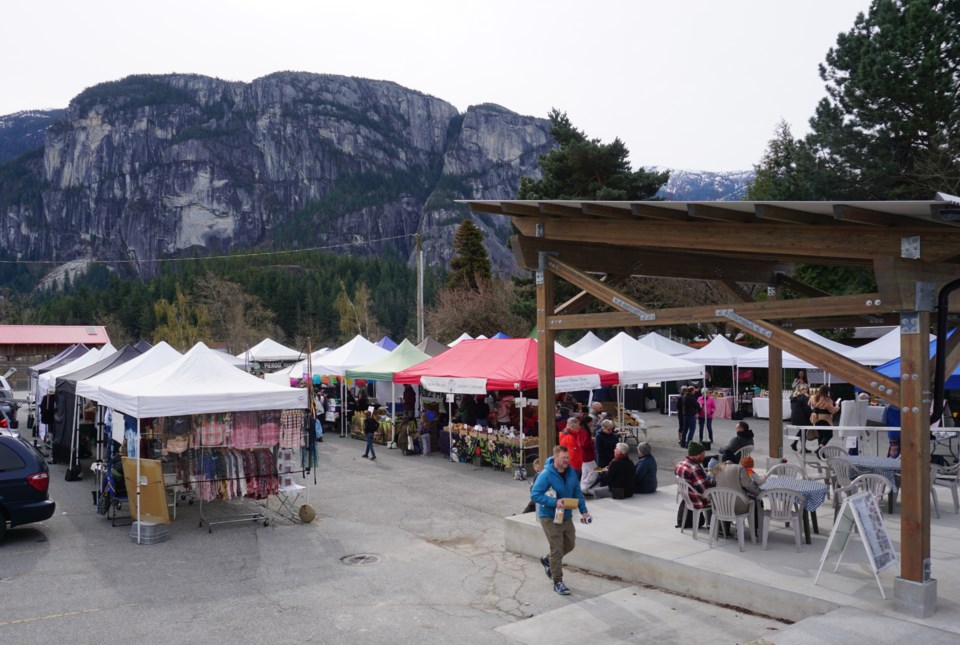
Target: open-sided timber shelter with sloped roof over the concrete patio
[{"x": 913, "y": 248}]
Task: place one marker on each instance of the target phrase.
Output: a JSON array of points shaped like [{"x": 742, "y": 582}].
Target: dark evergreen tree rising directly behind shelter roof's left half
[{"x": 582, "y": 168}]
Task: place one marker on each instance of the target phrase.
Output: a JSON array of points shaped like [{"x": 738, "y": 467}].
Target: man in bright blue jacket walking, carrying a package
[{"x": 558, "y": 476}]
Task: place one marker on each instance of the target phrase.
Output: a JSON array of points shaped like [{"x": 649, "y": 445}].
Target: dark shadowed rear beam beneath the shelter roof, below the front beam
[{"x": 622, "y": 260}]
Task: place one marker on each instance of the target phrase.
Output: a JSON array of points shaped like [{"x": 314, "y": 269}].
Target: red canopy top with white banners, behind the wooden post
[{"x": 476, "y": 366}]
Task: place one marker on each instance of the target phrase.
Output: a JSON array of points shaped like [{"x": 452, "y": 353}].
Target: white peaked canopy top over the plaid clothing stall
[{"x": 198, "y": 382}]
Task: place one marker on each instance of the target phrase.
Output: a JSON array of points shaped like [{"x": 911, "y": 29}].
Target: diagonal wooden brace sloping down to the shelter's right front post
[{"x": 826, "y": 359}]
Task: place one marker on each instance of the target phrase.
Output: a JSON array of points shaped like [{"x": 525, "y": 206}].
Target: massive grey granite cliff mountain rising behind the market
[{"x": 160, "y": 166}]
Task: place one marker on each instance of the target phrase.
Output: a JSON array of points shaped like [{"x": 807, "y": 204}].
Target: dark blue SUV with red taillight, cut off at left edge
[{"x": 24, "y": 481}]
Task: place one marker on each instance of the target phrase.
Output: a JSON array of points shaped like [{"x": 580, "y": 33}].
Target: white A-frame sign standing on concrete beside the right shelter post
[{"x": 860, "y": 510}]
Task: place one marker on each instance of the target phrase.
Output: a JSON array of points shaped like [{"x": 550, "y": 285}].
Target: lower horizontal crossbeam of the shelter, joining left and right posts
[{"x": 769, "y": 309}]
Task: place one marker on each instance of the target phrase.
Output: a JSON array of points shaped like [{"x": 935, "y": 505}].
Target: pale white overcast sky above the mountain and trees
[{"x": 686, "y": 84}]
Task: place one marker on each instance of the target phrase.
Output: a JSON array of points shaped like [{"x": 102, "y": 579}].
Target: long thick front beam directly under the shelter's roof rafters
[{"x": 839, "y": 243}]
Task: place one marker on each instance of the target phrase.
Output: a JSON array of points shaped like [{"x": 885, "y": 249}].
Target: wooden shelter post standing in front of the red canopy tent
[{"x": 546, "y": 375}]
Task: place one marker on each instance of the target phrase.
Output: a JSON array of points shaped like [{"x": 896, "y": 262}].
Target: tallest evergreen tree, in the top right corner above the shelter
[{"x": 889, "y": 127}]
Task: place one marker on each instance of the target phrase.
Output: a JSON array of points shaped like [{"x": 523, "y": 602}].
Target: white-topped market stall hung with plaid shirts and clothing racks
[{"x": 227, "y": 434}]
